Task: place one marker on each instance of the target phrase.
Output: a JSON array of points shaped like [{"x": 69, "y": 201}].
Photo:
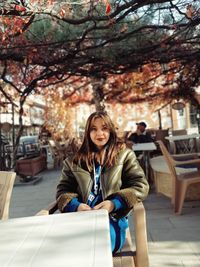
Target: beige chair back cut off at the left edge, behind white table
[{"x": 6, "y": 185}]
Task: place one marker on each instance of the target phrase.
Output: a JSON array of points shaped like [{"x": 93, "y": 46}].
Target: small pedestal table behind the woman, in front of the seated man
[{"x": 145, "y": 148}]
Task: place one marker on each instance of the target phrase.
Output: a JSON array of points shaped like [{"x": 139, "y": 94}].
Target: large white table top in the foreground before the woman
[{"x": 60, "y": 240}]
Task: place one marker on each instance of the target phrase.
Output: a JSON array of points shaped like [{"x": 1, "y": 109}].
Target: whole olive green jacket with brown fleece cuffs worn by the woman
[{"x": 126, "y": 179}]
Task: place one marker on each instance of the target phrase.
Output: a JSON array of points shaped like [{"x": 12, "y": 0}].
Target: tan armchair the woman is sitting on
[{"x": 128, "y": 256}]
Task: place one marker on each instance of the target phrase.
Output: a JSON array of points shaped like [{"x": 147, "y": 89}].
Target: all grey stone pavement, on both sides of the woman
[{"x": 173, "y": 240}]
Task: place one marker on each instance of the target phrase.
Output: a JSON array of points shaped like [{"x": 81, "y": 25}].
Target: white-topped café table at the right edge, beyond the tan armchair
[{"x": 182, "y": 144}]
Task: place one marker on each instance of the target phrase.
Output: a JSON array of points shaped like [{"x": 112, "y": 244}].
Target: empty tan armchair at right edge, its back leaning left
[{"x": 181, "y": 181}]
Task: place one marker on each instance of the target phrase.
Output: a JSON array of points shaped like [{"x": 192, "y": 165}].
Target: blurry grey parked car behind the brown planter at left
[{"x": 29, "y": 146}]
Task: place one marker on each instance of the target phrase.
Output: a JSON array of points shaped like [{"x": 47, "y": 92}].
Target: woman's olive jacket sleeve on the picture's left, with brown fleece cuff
[{"x": 67, "y": 187}]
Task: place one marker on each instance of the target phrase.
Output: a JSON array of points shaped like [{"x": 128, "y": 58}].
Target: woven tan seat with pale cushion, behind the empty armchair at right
[{"x": 163, "y": 179}]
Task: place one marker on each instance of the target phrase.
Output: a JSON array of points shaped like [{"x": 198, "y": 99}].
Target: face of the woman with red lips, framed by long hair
[{"x": 99, "y": 133}]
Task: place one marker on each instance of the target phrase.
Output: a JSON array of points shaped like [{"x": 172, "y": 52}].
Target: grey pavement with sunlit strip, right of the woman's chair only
[{"x": 174, "y": 240}]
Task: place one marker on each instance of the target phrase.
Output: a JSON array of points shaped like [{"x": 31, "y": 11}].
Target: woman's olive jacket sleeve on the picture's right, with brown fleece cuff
[{"x": 134, "y": 187}]
